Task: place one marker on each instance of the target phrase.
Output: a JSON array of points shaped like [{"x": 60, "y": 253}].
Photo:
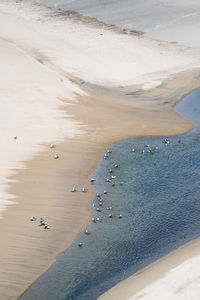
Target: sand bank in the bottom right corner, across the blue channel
[{"x": 175, "y": 276}]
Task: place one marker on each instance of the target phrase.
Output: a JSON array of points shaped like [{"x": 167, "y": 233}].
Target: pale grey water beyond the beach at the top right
[{"x": 172, "y": 20}]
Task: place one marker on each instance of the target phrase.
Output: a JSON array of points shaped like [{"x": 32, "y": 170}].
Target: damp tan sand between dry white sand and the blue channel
[{"x": 43, "y": 187}]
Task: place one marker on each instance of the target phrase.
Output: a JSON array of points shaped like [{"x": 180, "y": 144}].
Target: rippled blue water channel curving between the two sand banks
[{"x": 158, "y": 195}]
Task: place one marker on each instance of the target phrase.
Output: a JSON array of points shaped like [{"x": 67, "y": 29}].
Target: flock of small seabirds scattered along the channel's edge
[{"x": 99, "y": 199}]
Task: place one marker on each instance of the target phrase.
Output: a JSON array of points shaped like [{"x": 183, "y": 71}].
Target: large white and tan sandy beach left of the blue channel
[{"x": 69, "y": 83}]
